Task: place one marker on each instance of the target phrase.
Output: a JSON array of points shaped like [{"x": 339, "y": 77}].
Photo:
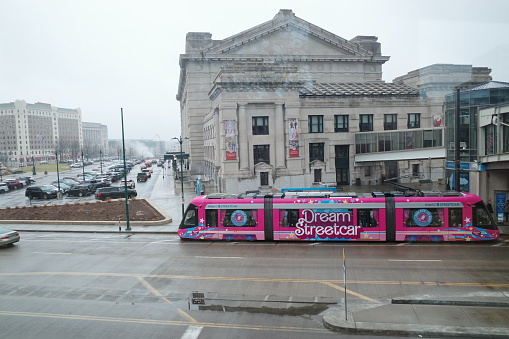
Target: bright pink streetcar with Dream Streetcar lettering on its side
[{"x": 325, "y": 216}]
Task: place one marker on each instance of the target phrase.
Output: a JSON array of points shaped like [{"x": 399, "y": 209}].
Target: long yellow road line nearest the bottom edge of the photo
[{"x": 165, "y": 322}]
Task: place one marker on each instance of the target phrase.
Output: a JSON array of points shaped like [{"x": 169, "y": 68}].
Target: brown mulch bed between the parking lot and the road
[{"x": 112, "y": 210}]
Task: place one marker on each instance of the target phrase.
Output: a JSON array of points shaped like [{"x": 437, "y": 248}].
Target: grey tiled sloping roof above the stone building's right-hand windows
[{"x": 365, "y": 89}]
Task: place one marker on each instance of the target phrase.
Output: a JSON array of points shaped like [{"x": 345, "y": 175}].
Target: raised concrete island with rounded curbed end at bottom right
[{"x": 478, "y": 317}]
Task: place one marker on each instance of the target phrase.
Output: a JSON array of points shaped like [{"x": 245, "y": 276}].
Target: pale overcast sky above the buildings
[{"x": 102, "y": 55}]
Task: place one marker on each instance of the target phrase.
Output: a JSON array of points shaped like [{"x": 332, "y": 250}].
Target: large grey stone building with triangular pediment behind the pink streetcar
[{"x": 288, "y": 104}]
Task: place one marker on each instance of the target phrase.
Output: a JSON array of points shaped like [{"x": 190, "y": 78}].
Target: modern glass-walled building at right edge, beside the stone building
[{"x": 484, "y": 141}]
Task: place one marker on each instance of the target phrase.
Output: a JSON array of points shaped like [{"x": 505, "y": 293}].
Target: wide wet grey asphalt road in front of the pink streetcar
[{"x": 61, "y": 285}]
